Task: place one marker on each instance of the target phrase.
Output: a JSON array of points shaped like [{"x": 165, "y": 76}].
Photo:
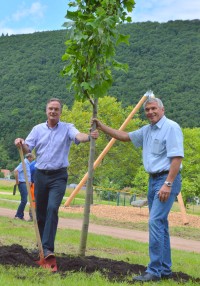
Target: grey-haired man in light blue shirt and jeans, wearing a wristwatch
[{"x": 162, "y": 143}]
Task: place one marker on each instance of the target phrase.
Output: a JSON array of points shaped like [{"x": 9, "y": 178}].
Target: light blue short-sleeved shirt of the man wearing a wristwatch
[{"x": 160, "y": 142}]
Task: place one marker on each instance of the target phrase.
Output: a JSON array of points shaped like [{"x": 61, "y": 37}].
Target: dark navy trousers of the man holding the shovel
[{"x": 49, "y": 192}]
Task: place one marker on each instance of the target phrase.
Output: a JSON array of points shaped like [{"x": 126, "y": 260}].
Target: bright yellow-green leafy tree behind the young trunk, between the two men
[{"x": 117, "y": 166}]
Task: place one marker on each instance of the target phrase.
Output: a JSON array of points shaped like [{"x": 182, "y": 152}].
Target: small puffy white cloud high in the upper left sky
[{"x": 36, "y": 10}]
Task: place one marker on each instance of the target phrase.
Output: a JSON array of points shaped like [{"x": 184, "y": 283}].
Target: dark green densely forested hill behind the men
[{"x": 163, "y": 57}]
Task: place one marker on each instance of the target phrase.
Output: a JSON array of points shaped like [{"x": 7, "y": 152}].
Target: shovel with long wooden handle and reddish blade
[{"x": 49, "y": 263}]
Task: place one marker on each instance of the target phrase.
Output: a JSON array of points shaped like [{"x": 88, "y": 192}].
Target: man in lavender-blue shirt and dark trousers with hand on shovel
[{"x": 51, "y": 140}]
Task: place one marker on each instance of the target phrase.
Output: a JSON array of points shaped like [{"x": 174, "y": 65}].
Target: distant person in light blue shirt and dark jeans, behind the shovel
[{"x": 21, "y": 182}]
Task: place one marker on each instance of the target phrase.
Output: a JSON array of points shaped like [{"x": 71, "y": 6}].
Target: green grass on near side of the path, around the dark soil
[{"x": 67, "y": 241}]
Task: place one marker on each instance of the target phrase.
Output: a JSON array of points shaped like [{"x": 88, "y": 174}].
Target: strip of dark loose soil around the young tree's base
[{"x": 120, "y": 271}]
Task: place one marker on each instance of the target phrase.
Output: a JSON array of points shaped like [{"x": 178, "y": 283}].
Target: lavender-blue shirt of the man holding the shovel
[{"x": 52, "y": 145}]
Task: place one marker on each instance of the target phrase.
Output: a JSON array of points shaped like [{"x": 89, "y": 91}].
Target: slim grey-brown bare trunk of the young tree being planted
[{"x": 89, "y": 190}]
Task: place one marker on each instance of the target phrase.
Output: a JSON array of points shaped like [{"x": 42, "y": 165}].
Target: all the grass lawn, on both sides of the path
[{"x": 67, "y": 241}]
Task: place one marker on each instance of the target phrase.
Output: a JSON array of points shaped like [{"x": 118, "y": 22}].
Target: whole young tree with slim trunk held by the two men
[{"x": 90, "y": 56}]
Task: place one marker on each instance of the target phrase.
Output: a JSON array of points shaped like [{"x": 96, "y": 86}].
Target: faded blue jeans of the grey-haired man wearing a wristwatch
[{"x": 159, "y": 239}]
